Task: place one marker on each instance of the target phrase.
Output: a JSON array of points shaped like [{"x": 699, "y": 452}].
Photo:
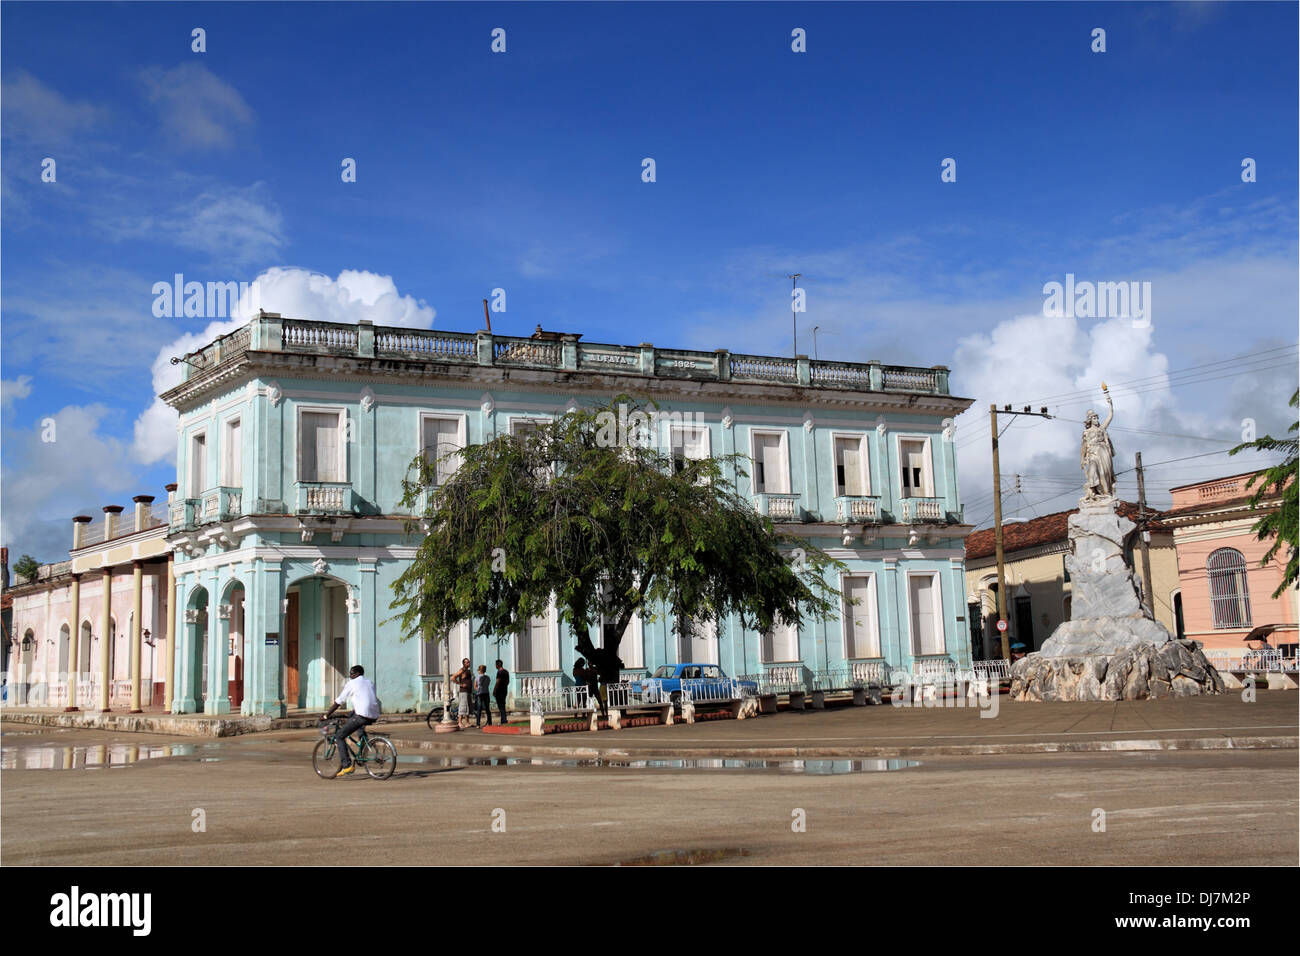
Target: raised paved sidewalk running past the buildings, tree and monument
[{"x": 1189, "y": 724}]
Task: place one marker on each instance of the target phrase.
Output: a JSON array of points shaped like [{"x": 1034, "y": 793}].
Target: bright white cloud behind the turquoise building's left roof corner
[{"x": 294, "y": 293}]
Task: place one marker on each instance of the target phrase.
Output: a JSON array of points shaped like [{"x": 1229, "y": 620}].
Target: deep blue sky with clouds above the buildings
[{"x": 523, "y": 171}]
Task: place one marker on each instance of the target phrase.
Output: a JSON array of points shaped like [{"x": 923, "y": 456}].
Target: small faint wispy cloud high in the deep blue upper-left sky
[{"x": 198, "y": 109}]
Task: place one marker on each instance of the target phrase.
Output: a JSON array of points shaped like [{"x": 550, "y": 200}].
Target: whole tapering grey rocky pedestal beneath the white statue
[{"x": 1112, "y": 648}]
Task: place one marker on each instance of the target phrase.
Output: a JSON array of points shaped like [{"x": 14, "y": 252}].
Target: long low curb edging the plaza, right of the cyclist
[{"x": 1150, "y": 745}]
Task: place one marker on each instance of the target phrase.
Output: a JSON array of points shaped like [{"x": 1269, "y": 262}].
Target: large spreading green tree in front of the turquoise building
[{"x": 587, "y": 509}]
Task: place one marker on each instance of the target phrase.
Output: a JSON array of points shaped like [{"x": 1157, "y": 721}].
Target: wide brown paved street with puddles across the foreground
[{"x": 262, "y": 803}]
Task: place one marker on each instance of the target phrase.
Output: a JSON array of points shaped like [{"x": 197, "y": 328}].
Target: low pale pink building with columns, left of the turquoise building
[{"x": 94, "y": 633}]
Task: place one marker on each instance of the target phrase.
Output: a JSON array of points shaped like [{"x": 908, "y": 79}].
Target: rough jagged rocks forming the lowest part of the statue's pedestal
[{"x": 1171, "y": 669}]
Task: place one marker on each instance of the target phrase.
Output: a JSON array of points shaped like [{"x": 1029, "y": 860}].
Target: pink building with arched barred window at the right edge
[{"x": 1224, "y": 591}]
